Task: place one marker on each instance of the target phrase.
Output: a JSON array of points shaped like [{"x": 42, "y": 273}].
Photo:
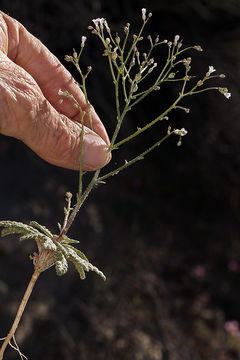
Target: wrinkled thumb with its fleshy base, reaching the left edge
[{"x": 27, "y": 115}]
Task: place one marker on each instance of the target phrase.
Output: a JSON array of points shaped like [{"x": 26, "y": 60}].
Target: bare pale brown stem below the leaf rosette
[{"x": 19, "y": 312}]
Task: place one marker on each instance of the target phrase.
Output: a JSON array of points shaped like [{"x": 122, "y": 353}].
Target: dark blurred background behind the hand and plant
[{"x": 165, "y": 232}]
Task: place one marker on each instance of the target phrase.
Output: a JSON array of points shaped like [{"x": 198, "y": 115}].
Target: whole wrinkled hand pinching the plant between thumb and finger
[{"x": 30, "y": 78}]
